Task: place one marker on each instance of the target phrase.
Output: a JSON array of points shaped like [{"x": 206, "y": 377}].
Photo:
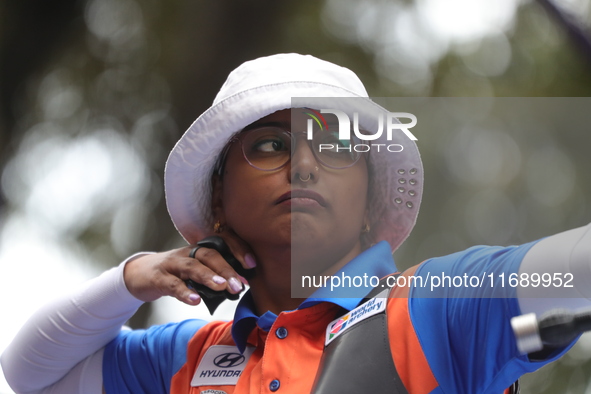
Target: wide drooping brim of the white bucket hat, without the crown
[{"x": 188, "y": 172}]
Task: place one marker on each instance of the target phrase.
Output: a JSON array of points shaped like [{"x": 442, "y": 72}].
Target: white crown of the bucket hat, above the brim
[{"x": 285, "y": 68}]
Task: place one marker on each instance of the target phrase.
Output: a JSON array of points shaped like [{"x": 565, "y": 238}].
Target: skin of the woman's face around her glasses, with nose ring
[{"x": 305, "y": 206}]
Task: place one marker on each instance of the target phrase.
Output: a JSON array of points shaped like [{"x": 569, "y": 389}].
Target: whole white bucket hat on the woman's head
[{"x": 259, "y": 88}]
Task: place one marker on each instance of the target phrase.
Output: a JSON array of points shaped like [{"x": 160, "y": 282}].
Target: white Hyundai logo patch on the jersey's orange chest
[{"x": 221, "y": 365}]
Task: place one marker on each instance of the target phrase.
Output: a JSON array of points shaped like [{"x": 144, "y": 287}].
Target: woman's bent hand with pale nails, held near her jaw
[{"x": 152, "y": 276}]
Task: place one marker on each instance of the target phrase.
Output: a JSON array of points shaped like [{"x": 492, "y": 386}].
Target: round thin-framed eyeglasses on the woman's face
[{"x": 269, "y": 148}]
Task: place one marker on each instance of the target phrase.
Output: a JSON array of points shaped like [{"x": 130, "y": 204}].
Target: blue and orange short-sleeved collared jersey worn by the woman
[{"x": 445, "y": 336}]
